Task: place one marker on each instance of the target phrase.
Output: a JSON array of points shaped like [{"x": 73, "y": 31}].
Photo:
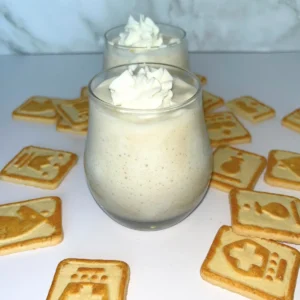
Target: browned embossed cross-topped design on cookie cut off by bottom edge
[{"x": 87, "y": 283}]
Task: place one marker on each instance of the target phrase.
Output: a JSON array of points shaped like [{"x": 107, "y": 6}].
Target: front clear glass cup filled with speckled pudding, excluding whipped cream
[{"x": 147, "y": 169}]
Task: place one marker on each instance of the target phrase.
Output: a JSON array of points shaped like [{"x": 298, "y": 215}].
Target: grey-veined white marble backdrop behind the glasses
[{"x": 66, "y": 26}]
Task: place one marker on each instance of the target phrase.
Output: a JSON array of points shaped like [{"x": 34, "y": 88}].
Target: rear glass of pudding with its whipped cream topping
[{"x": 145, "y": 41}]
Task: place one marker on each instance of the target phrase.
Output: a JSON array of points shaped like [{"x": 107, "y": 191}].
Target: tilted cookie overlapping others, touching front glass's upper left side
[{"x": 75, "y": 112}]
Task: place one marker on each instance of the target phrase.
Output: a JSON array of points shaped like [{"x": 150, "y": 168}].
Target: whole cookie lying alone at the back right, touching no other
[{"x": 251, "y": 109}]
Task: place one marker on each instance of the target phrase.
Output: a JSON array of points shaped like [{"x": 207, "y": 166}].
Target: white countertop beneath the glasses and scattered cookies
[{"x": 165, "y": 264}]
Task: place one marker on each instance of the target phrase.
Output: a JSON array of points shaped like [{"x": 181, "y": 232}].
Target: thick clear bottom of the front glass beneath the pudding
[{"x": 149, "y": 226}]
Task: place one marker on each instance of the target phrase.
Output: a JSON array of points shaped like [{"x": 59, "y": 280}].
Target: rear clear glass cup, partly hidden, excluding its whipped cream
[{"x": 173, "y": 54}]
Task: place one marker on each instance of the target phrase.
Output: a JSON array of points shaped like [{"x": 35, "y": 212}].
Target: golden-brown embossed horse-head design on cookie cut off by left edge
[{"x": 26, "y": 220}]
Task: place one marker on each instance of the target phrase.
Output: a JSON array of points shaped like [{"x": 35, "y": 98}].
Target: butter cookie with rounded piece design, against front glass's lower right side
[{"x": 236, "y": 168}]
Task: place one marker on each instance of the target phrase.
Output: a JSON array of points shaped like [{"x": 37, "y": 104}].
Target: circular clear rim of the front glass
[{"x": 146, "y": 111}]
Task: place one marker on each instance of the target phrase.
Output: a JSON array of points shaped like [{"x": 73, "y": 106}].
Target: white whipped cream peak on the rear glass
[{"x": 140, "y": 34}]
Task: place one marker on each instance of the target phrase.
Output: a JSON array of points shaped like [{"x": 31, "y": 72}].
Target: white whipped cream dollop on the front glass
[{"x": 142, "y": 88}]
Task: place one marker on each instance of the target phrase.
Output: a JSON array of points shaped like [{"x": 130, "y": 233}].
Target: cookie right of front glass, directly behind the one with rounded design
[{"x": 224, "y": 128}]
